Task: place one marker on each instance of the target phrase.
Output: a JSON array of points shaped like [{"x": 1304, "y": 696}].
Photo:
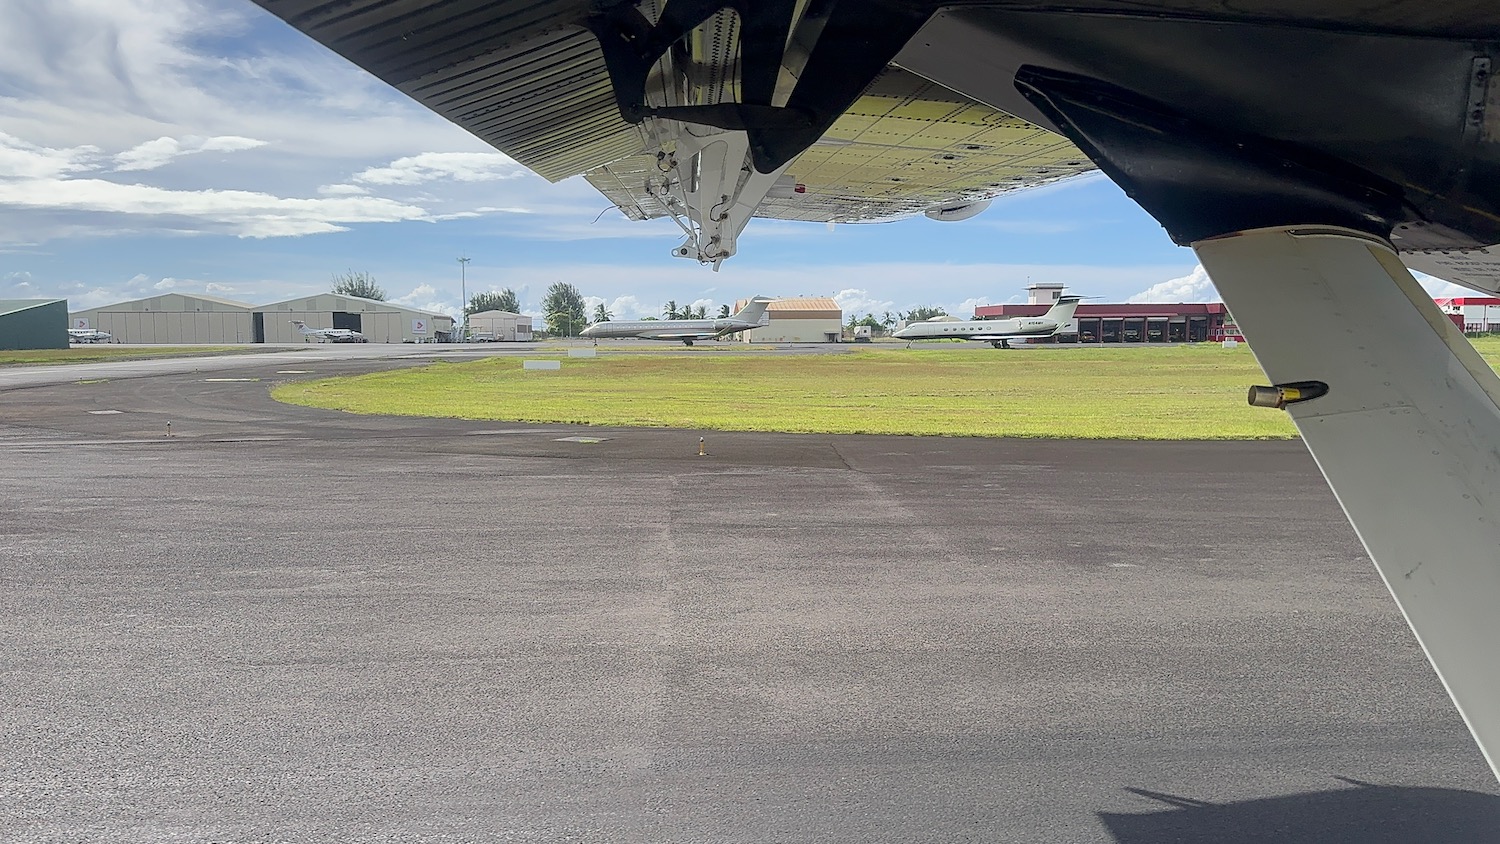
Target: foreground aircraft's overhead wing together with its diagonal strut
[{"x": 1303, "y": 149}]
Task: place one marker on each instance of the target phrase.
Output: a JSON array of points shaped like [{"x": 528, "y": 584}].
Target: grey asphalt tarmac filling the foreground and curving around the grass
[{"x": 295, "y": 626}]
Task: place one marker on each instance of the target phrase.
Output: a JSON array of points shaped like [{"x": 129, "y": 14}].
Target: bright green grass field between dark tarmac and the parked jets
[{"x": 1072, "y": 394}]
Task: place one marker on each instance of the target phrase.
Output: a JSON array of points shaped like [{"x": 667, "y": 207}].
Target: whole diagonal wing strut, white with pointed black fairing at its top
[{"x": 1400, "y": 413}]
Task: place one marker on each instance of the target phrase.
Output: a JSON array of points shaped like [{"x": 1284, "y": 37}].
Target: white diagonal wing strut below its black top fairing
[{"x": 1408, "y": 435}]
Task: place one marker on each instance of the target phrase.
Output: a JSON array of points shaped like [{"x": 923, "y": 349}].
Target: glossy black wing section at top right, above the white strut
[{"x": 1379, "y": 118}]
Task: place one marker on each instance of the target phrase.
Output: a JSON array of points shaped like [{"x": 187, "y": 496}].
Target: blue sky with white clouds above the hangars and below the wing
[{"x": 203, "y": 146}]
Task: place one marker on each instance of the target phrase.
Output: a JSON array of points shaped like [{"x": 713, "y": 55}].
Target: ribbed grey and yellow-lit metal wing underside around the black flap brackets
[{"x": 532, "y": 80}]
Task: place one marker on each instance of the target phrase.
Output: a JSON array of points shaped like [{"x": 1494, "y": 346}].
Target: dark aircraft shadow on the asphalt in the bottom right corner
[{"x": 1364, "y": 815}]
